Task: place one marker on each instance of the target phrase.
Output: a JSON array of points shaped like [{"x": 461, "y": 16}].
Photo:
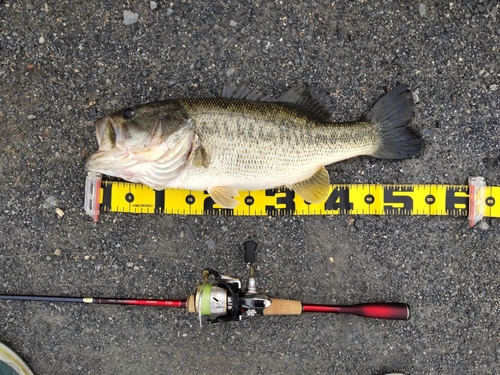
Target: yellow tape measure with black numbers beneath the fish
[{"x": 351, "y": 199}]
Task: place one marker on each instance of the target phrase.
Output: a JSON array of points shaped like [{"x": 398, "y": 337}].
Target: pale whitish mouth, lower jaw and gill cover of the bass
[{"x": 154, "y": 165}]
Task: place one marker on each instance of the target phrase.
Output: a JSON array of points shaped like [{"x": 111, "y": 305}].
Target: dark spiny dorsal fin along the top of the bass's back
[{"x": 303, "y": 98}]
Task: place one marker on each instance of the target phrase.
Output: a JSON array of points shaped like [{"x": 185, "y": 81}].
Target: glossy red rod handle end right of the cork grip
[{"x": 396, "y": 311}]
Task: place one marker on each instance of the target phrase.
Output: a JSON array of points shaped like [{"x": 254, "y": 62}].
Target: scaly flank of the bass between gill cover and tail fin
[{"x": 247, "y": 139}]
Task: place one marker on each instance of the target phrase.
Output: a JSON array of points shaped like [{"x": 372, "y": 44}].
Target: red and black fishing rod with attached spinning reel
[{"x": 220, "y": 298}]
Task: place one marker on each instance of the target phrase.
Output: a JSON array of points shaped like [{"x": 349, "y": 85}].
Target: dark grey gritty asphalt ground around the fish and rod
[{"x": 63, "y": 64}]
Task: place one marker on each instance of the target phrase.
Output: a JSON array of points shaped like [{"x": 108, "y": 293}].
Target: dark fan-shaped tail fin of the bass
[{"x": 391, "y": 114}]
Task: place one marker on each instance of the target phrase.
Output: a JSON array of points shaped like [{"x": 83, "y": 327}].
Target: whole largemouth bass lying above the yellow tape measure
[{"x": 243, "y": 141}]
